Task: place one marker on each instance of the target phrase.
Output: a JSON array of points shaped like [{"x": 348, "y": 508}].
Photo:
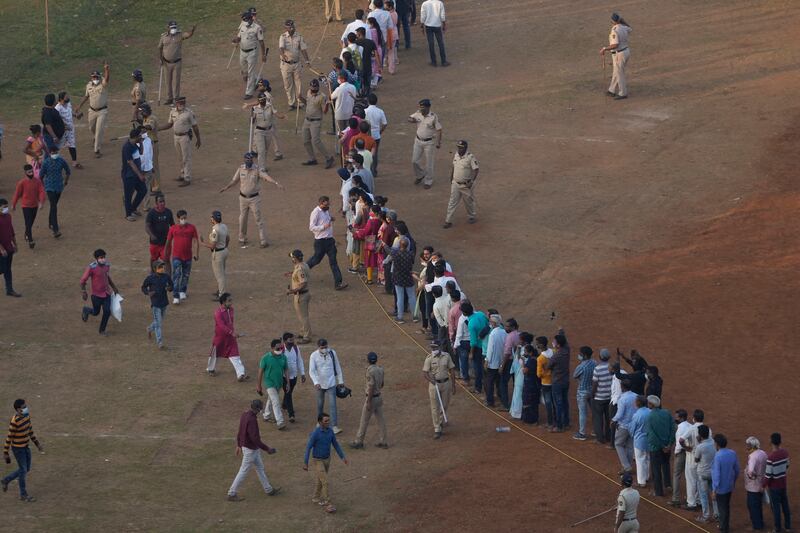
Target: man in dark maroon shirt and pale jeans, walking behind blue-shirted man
[{"x": 249, "y": 445}]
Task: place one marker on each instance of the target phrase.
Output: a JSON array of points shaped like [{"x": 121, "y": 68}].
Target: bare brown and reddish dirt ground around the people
[{"x": 663, "y": 222}]
